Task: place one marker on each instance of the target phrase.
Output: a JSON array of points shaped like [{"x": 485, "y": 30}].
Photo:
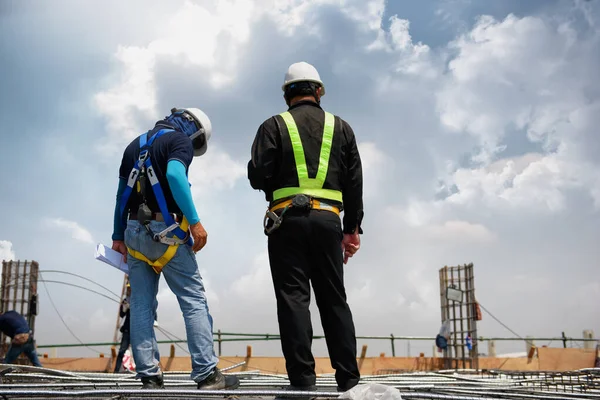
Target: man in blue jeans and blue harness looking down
[{"x": 157, "y": 229}]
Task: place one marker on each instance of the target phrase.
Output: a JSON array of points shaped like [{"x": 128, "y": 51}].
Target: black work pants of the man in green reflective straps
[{"x": 307, "y": 248}]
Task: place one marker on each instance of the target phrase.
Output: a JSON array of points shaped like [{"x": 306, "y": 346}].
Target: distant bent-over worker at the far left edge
[{"x": 15, "y": 326}]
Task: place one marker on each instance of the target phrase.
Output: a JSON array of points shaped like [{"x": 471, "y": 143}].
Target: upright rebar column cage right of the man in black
[{"x": 458, "y": 306}]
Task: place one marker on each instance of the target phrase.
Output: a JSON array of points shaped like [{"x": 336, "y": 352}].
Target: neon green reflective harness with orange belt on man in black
[{"x": 302, "y": 197}]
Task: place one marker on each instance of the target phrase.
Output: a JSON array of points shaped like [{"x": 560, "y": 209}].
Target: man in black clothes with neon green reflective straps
[{"x": 307, "y": 162}]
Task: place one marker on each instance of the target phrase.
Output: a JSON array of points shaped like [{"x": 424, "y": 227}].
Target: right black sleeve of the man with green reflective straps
[{"x": 353, "y": 187}]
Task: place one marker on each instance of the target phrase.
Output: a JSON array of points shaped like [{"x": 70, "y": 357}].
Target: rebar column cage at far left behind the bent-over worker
[{"x": 19, "y": 293}]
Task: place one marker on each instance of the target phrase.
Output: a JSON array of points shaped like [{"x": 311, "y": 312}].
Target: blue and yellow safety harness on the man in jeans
[{"x": 141, "y": 169}]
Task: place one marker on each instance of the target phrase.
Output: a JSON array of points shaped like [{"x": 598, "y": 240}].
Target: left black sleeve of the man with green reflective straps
[{"x": 264, "y": 156}]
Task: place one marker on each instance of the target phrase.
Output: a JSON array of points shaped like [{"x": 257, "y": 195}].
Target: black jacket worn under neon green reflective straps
[{"x": 272, "y": 165}]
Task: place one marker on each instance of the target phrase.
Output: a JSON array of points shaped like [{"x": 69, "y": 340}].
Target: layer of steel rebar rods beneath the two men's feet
[{"x": 21, "y": 382}]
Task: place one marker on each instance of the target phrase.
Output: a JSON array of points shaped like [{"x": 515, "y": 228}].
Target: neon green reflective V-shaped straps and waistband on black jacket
[{"x": 308, "y": 186}]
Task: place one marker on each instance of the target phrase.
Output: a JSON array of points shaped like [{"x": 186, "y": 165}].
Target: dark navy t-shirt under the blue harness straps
[{"x": 172, "y": 145}]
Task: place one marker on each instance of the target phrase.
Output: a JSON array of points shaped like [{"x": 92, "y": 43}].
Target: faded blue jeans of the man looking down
[{"x": 183, "y": 278}]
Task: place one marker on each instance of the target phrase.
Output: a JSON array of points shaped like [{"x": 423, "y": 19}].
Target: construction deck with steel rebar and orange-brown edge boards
[{"x": 551, "y": 374}]
